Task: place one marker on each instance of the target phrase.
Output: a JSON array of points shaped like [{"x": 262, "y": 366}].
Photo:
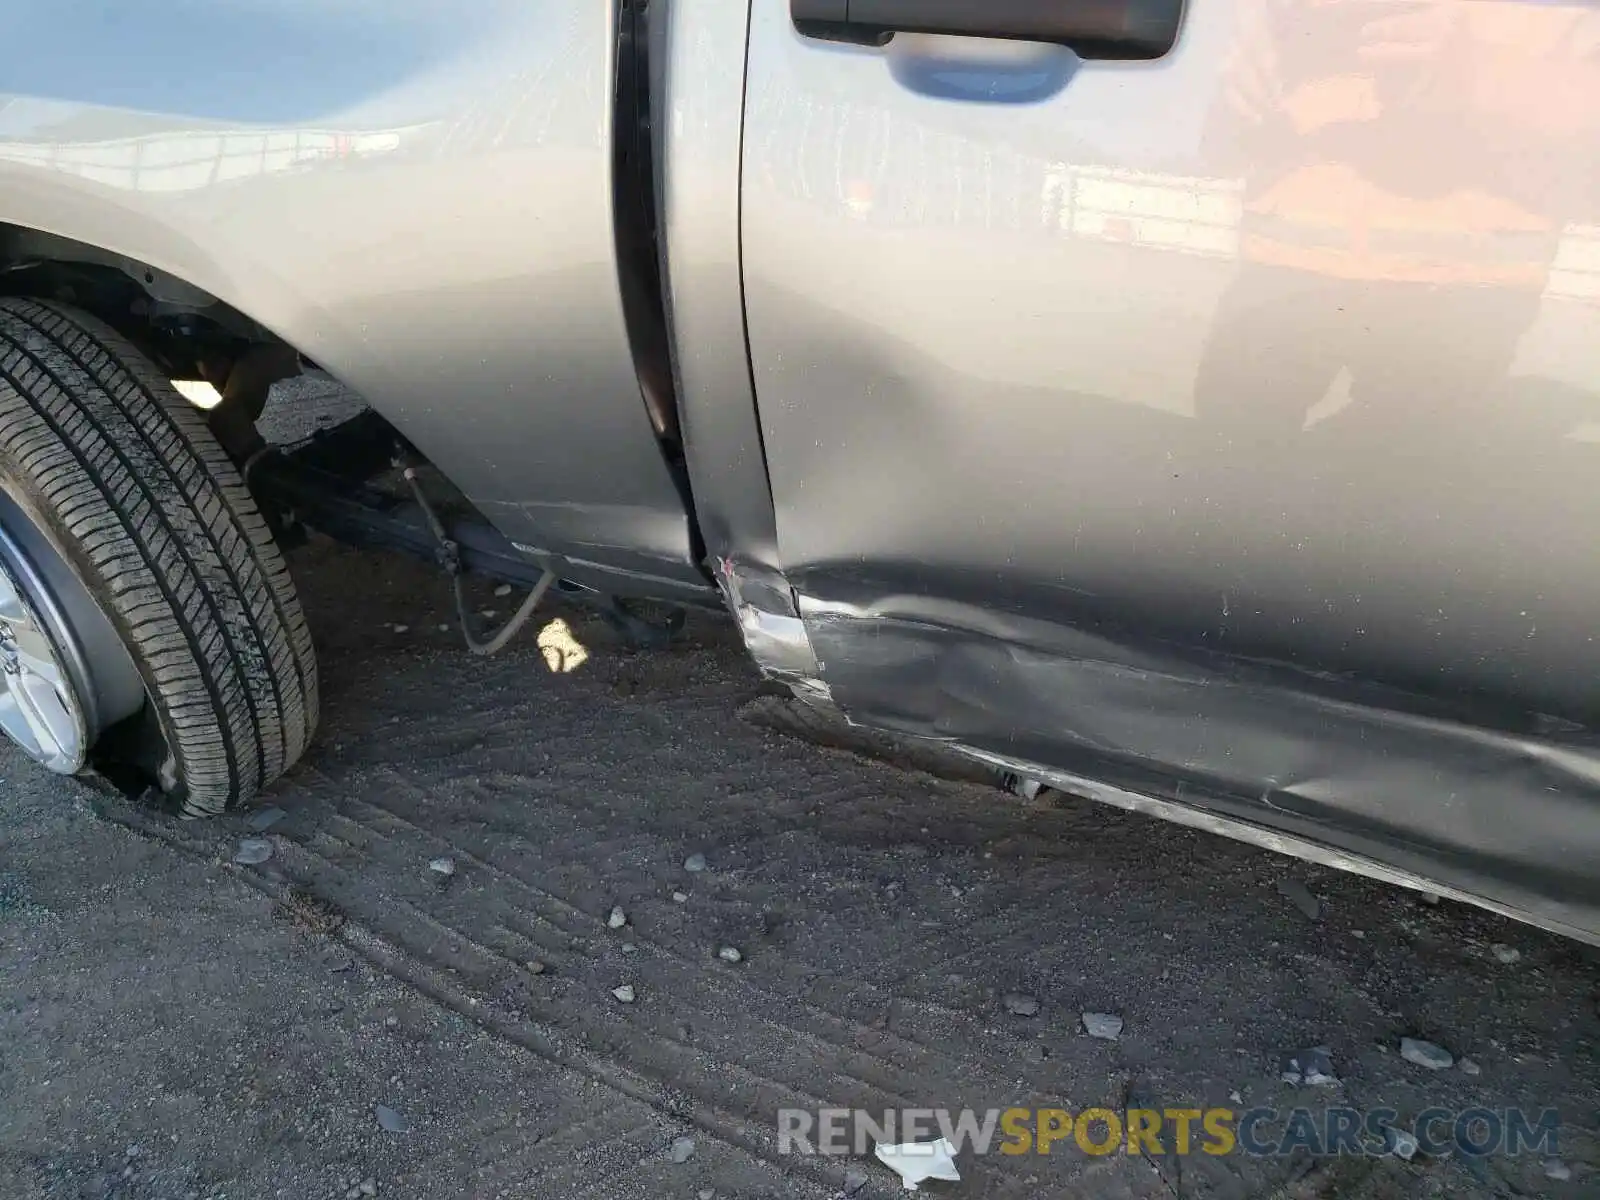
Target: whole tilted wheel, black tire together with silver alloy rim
[{"x": 148, "y": 622}]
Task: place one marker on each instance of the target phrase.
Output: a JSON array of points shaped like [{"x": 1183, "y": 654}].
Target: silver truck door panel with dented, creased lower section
[{"x": 1196, "y": 420}]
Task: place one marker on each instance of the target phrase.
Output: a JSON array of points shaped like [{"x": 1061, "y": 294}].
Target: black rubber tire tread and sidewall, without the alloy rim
[{"x": 130, "y": 486}]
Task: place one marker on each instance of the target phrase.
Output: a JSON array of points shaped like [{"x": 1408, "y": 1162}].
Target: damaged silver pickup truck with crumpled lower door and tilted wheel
[{"x": 1196, "y": 407}]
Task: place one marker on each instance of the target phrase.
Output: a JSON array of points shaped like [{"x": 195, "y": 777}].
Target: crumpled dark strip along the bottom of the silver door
[{"x": 1455, "y": 799}]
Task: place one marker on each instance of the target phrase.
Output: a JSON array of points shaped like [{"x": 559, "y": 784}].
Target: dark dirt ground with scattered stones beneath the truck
[{"x": 174, "y": 1025}]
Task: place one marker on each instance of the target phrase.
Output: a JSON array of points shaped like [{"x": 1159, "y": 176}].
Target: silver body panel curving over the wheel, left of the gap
[{"x": 414, "y": 196}]
